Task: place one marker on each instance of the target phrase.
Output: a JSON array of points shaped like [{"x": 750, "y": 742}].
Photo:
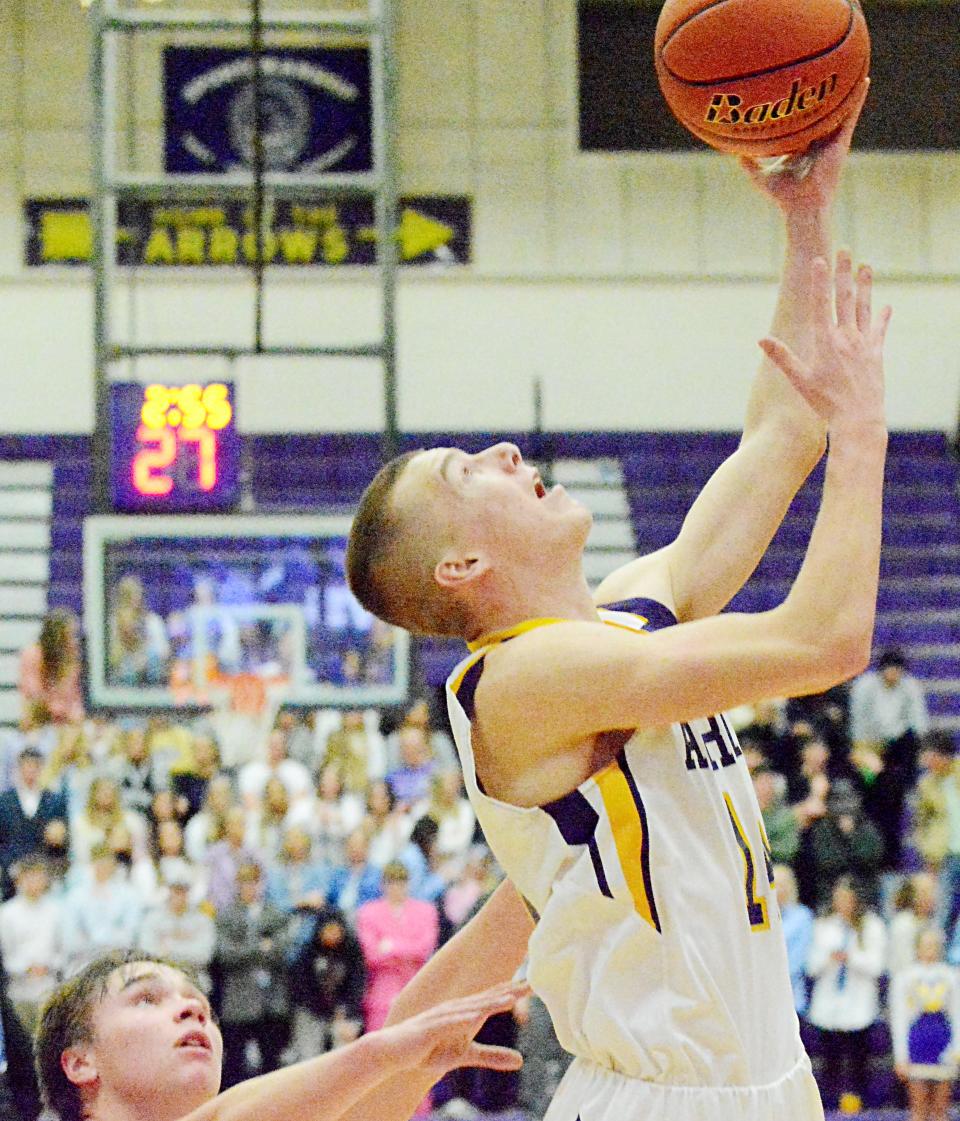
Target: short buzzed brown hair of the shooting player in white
[{"x": 391, "y": 575}]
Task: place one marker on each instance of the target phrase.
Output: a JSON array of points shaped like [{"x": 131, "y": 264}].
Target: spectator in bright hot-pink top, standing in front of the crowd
[{"x": 398, "y": 935}]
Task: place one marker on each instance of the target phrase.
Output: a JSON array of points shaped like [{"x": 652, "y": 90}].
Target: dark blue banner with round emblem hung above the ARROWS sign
[{"x": 316, "y": 107}]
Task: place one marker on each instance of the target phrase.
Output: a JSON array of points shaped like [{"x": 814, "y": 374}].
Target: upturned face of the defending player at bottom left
[{"x": 155, "y": 1043}]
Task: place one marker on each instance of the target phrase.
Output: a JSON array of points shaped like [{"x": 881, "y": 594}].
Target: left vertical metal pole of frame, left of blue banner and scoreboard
[{"x": 104, "y": 225}]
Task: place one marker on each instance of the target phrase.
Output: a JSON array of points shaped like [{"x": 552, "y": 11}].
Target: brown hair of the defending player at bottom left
[{"x": 66, "y": 1022}]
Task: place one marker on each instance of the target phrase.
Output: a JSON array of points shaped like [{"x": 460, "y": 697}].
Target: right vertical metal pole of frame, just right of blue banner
[{"x": 384, "y": 77}]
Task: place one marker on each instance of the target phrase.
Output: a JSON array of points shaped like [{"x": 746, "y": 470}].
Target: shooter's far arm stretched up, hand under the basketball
[{"x": 735, "y": 518}]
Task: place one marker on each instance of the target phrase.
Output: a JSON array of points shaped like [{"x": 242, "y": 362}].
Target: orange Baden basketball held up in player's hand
[{"x": 761, "y": 78}]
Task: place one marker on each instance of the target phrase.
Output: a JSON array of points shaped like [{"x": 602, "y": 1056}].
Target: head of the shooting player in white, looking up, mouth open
[{"x": 444, "y": 536}]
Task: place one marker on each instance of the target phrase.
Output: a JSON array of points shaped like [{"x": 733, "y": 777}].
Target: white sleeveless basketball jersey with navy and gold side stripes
[{"x": 659, "y": 949}]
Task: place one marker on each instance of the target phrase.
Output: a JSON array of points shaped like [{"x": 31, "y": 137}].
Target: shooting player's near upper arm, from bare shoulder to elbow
[{"x": 553, "y": 689}]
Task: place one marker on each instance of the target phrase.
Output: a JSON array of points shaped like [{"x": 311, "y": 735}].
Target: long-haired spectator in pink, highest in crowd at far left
[{"x": 51, "y": 674}]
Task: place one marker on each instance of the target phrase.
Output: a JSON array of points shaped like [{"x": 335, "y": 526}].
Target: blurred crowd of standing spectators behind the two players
[{"x": 309, "y": 884}]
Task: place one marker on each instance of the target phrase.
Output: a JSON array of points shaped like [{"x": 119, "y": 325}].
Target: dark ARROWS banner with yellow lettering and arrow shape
[{"x": 432, "y": 230}]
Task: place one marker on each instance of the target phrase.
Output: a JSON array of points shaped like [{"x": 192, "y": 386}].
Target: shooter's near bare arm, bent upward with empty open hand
[{"x": 584, "y": 679}]
